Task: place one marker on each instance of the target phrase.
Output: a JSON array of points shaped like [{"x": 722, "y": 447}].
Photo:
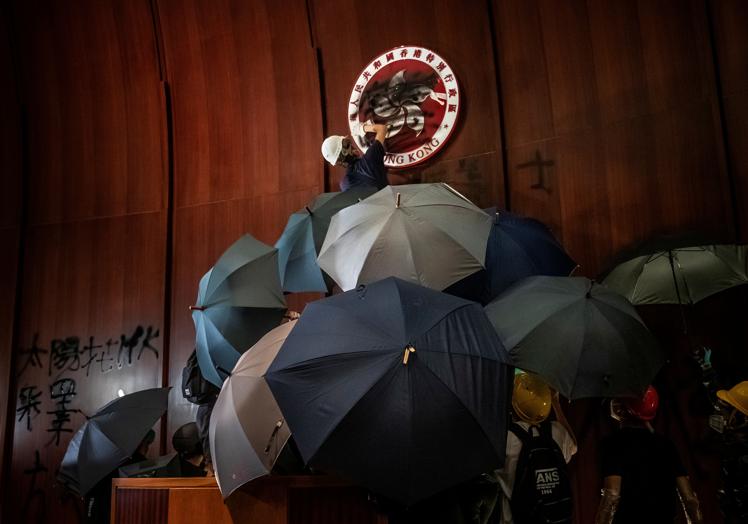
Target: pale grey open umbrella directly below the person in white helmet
[{"x": 428, "y": 234}]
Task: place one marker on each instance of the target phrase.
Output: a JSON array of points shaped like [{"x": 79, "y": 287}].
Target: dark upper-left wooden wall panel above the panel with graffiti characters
[{"x": 91, "y": 89}]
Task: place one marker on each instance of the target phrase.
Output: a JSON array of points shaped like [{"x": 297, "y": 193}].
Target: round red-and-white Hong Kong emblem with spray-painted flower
[{"x": 414, "y": 92}]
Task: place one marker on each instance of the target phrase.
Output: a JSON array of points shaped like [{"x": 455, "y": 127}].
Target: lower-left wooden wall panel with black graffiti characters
[{"x": 100, "y": 278}]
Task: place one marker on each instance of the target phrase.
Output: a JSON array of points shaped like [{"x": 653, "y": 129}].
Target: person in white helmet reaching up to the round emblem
[{"x": 361, "y": 171}]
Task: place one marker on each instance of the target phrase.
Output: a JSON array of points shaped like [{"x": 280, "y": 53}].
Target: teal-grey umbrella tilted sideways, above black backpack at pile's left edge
[{"x": 238, "y": 301}]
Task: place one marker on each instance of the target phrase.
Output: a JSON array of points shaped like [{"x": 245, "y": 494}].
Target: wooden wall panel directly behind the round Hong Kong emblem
[{"x": 349, "y": 34}]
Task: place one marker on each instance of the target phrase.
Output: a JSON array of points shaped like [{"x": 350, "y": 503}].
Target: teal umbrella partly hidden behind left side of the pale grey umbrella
[{"x": 302, "y": 239}]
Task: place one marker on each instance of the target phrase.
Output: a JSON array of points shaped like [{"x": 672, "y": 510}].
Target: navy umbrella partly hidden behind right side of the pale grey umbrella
[{"x": 518, "y": 247}]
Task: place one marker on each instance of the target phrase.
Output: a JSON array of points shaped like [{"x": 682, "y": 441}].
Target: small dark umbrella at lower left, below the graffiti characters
[{"x": 109, "y": 437}]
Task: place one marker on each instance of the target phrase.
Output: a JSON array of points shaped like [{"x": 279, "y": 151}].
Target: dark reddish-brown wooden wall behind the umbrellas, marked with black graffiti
[{"x": 146, "y": 136}]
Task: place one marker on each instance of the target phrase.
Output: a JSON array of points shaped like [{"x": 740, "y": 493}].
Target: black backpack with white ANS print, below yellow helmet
[{"x": 542, "y": 490}]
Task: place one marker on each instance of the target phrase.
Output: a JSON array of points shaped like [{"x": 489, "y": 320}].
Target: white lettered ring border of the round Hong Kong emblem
[{"x": 449, "y": 89}]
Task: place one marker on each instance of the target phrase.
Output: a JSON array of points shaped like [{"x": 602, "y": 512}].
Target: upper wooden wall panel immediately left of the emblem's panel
[{"x": 247, "y": 118}]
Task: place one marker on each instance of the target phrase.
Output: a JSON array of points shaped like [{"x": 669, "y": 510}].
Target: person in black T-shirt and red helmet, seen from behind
[{"x": 643, "y": 473}]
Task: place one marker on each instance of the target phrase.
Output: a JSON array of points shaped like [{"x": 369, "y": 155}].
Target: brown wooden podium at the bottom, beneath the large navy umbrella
[{"x": 269, "y": 500}]
